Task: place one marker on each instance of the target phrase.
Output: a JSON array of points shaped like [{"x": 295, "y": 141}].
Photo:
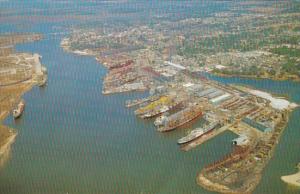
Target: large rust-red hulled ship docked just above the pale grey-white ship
[{"x": 180, "y": 118}]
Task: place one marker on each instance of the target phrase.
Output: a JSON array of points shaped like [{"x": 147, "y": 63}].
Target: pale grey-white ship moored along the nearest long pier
[{"x": 197, "y": 133}]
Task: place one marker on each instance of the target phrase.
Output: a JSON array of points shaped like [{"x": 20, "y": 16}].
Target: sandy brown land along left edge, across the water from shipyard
[{"x": 19, "y": 72}]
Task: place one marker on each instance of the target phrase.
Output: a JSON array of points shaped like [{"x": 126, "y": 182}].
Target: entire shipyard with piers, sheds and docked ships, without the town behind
[{"x": 256, "y": 117}]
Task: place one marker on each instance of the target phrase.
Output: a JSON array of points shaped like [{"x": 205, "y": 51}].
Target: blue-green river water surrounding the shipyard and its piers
[{"x": 72, "y": 139}]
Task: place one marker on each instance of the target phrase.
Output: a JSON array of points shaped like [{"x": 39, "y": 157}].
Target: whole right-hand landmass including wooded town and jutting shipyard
[{"x": 172, "y": 63}]
